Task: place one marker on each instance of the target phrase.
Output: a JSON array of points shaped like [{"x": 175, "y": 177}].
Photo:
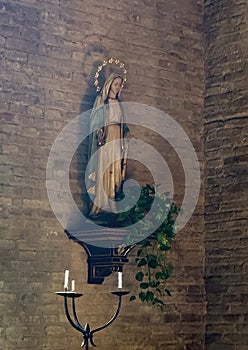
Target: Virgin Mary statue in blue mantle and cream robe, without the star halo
[{"x": 107, "y": 148}]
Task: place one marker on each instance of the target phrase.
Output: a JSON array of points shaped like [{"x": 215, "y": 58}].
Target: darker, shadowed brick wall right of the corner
[{"x": 226, "y": 145}]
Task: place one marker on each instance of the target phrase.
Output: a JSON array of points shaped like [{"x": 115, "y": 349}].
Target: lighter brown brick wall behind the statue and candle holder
[{"x": 48, "y": 50}]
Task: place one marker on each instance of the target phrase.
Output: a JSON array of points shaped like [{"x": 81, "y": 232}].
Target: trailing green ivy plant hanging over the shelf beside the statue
[{"x": 153, "y": 269}]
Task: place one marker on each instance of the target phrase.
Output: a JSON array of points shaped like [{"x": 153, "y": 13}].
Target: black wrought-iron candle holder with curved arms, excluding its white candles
[{"x": 74, "y": 321}]
